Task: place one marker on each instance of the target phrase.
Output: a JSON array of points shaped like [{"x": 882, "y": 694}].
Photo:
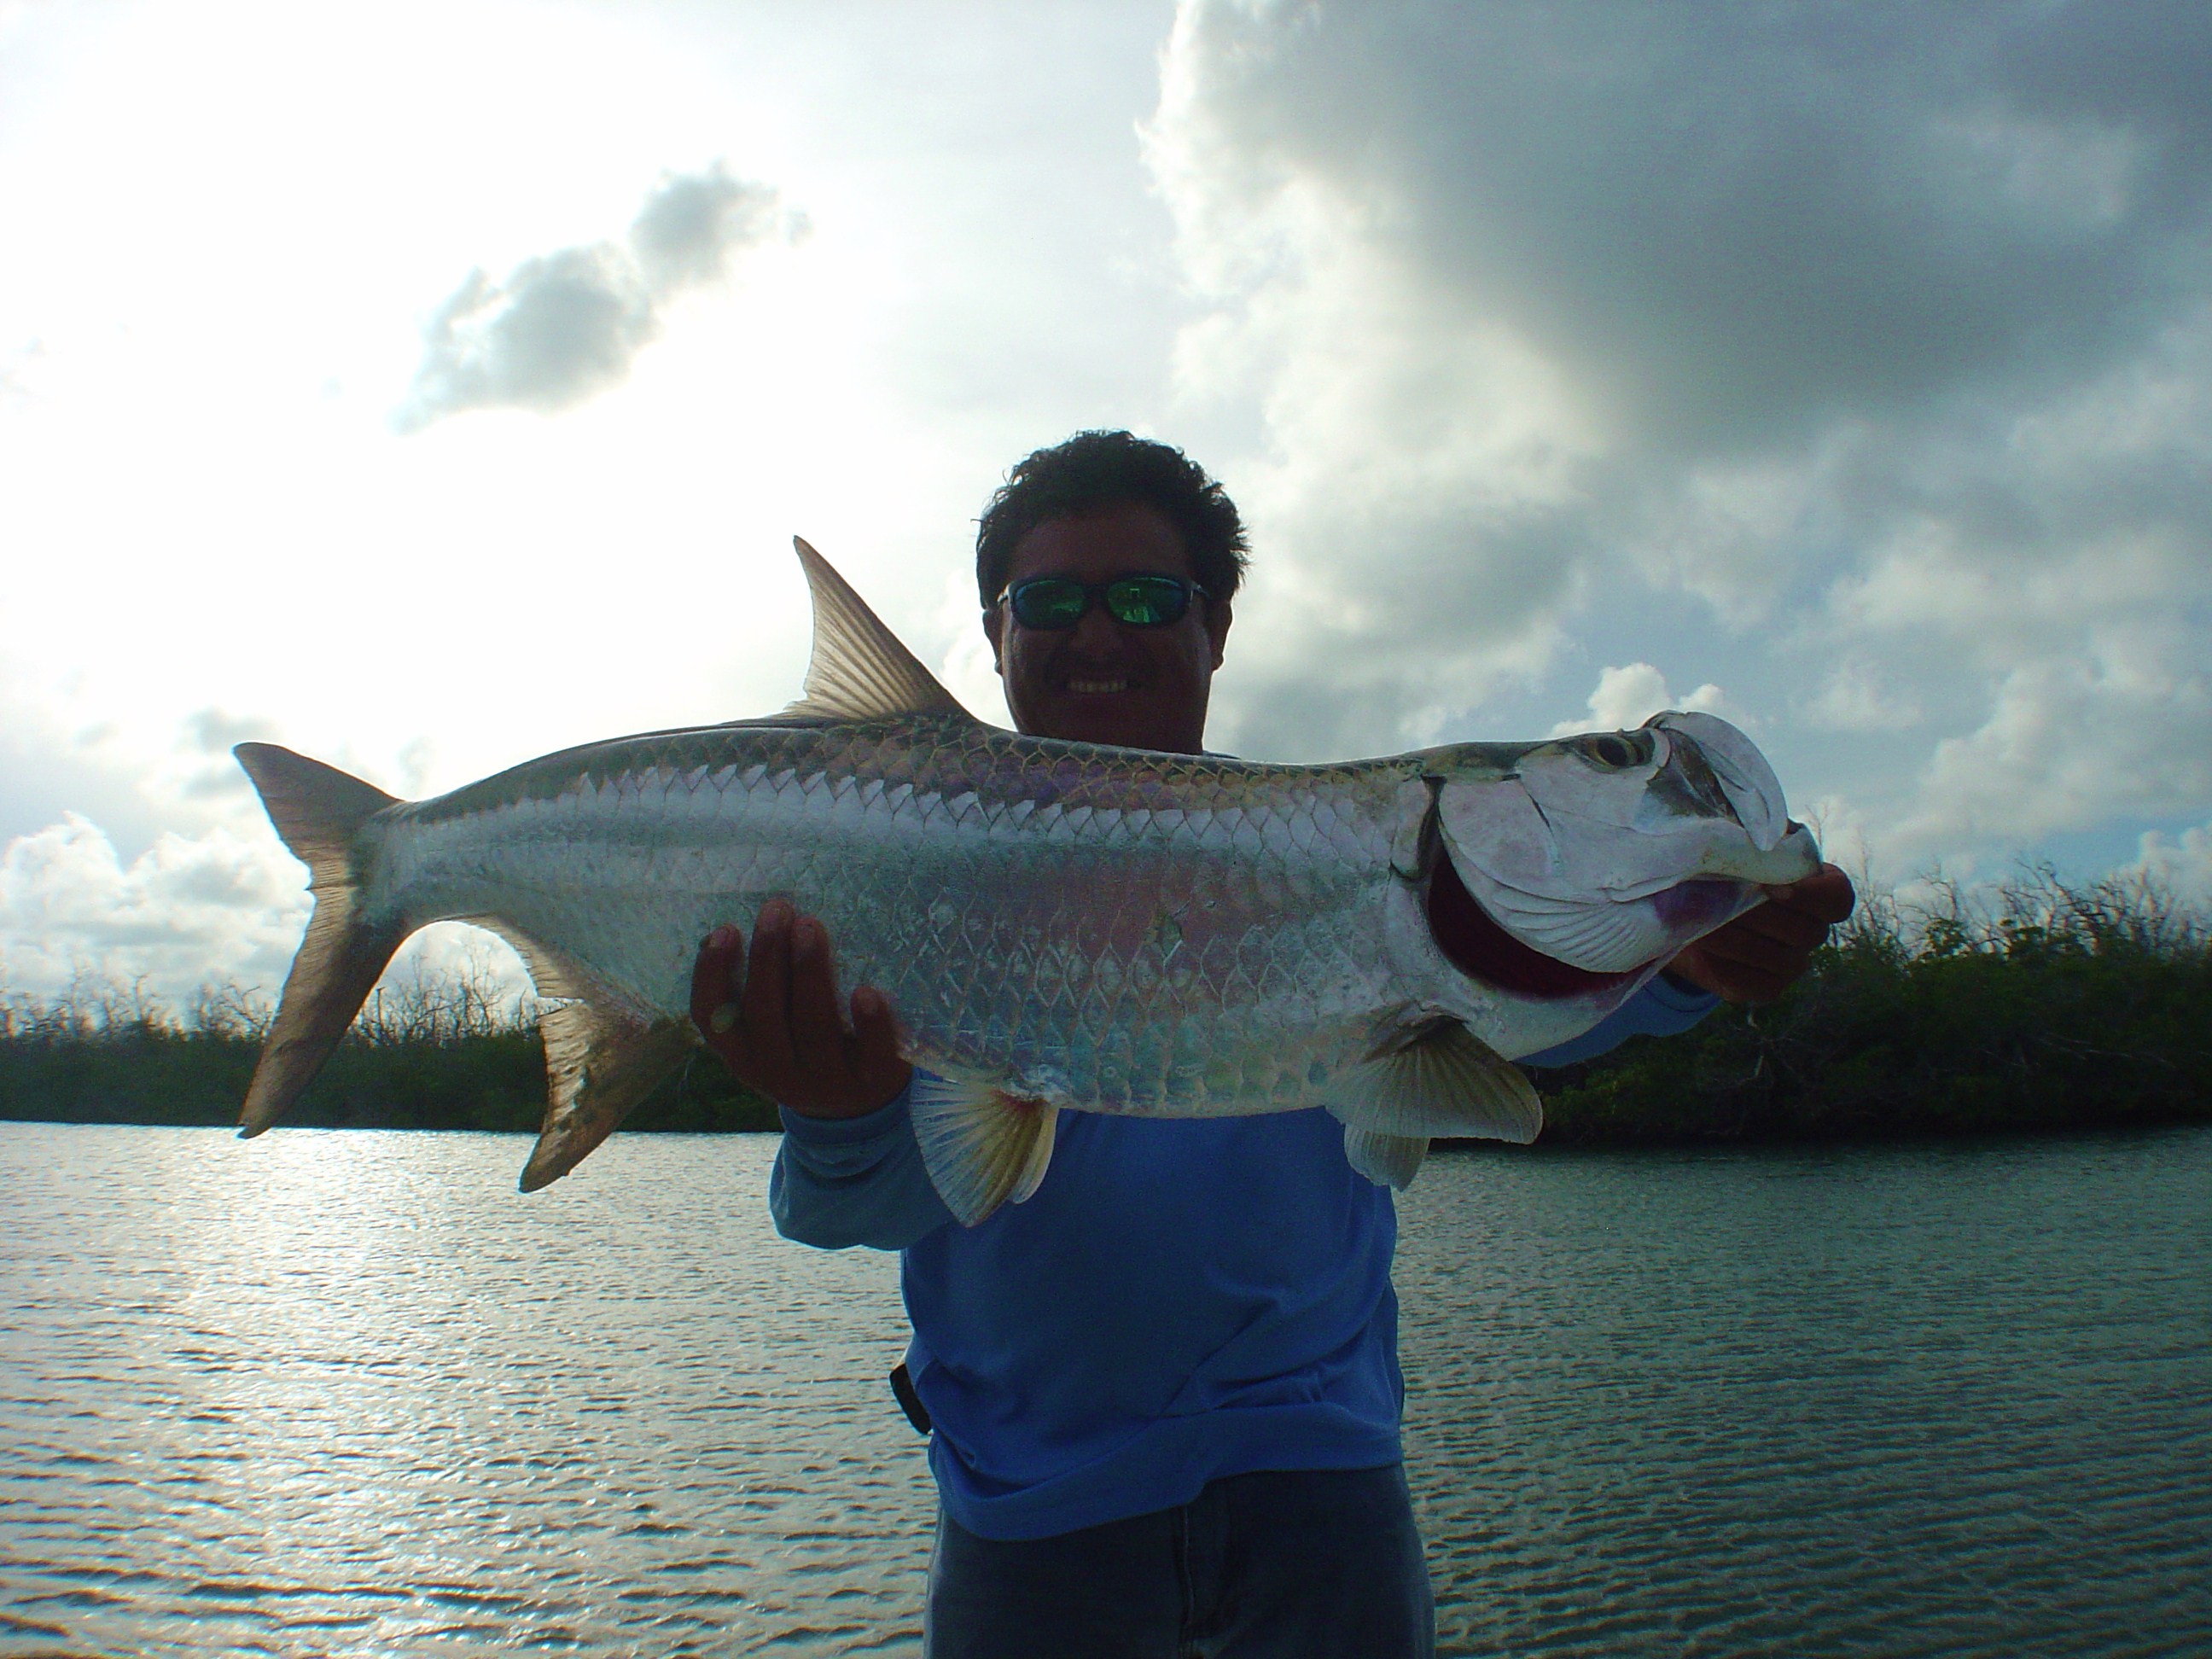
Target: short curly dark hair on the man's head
[{"x": 1107, "y": 470}]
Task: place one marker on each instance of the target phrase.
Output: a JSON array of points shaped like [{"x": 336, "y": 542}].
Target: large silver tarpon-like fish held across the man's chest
[{"x": 1058, "y": 926}]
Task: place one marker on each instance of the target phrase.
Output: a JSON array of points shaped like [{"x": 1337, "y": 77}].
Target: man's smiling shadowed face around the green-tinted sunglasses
[{"x": 1105, "y": 682}]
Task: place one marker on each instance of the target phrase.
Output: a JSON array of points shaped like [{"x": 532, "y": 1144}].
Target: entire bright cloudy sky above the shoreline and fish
[{"x": 430, "y": 386}]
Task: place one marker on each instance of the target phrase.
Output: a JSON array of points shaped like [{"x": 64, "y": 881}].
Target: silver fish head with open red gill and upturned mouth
[{"x": 1580, "y": 866}]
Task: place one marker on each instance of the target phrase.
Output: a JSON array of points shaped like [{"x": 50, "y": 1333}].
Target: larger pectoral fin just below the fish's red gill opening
[{"x": 1439, "y": 1081}]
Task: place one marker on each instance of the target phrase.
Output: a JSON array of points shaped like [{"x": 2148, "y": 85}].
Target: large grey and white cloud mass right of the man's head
[{"x": 1866, "y": 353}]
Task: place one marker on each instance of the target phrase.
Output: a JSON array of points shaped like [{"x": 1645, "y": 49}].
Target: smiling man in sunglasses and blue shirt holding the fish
[{"x": 1165, "y": 1390}]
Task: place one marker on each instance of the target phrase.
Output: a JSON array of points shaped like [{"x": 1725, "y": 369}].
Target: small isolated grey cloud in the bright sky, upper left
[{"x": 570, "y": 324}]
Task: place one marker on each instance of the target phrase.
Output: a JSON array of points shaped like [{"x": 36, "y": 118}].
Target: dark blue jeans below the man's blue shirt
[{"x": 1275, "y": 1565}]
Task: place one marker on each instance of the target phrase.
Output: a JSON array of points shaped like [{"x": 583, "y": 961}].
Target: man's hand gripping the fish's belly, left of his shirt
[{"x": 775, "y": 1023}]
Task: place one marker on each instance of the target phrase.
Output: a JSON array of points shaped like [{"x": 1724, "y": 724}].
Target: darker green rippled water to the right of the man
[{"x": 1879, "y": 1401}]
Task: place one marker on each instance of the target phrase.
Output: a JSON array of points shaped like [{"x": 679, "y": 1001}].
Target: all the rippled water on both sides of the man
[{"x": 344, "y": 1392}]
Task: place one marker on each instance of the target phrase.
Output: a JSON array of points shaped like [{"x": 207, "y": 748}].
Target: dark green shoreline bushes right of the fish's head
[{"x": 2027, "y": 1008}]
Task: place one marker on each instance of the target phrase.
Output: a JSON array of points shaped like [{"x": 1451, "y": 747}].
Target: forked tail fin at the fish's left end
[{"x": 320, "y": 813}]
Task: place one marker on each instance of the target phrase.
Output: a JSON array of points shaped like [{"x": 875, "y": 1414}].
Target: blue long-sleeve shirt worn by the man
[{"x": 1182, "y": 1300}]
